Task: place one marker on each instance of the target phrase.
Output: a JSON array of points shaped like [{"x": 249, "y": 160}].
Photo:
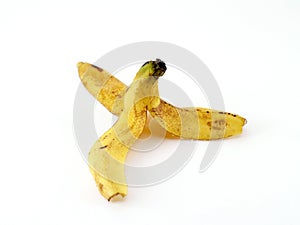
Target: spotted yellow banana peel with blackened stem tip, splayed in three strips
[{"x": 107, "y": 156}]
